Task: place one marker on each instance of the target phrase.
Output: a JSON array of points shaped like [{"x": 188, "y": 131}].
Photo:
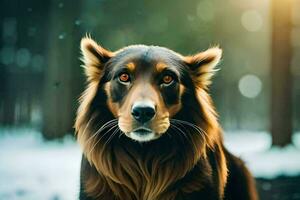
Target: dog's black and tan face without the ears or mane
[{"x": 144, "y": 90}]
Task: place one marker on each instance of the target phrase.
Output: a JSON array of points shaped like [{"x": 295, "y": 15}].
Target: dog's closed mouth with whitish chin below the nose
[{"x": 142, "y": 134}]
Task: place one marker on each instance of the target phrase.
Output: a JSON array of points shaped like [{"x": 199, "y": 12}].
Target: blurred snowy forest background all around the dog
[{"x": 256, "y": 92}]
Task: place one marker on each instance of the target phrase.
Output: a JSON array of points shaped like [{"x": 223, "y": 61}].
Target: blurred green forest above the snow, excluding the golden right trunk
[{"x": 41, "y": 78}]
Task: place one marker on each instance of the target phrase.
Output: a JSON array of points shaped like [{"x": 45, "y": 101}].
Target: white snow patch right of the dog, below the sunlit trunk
[{"x": 262, "y": 160}]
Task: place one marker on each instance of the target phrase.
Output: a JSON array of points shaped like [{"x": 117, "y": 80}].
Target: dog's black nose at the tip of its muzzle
[{"x": 142, "y": 114}]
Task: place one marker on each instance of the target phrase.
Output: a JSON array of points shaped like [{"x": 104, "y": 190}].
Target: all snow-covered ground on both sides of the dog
[{"x": 36, "y": 170}]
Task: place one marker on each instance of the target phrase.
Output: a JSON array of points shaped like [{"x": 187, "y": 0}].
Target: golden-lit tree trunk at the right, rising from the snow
[{"x": 281, "y": 106}]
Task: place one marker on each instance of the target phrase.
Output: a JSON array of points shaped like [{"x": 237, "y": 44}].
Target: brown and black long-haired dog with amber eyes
[{"x": 149, "y": 131}]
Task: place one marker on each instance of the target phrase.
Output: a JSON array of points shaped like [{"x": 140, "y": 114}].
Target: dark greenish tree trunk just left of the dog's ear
[{"x": 58, "y": 109}]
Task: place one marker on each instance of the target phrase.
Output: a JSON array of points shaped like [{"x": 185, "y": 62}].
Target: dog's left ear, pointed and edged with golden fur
[{"x": 94, "y": 58}]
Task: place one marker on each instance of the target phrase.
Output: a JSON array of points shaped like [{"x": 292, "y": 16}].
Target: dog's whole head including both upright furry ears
[{"x": 144, "y": 85}]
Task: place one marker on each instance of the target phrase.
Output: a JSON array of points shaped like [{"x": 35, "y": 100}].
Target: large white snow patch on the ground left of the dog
[{"x": 33, "y": 169}]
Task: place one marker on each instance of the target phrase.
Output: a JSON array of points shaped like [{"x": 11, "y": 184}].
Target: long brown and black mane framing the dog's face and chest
[{"x": 186, "y": 161}]
